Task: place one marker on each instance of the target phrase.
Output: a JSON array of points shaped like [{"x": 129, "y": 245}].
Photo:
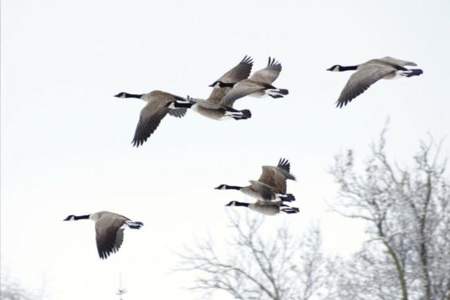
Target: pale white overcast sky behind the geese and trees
[{"x": 65, "y": 141}]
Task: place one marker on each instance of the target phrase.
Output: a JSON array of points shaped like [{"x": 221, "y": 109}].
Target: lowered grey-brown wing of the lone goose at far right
[{"x": 361, "y": 80}]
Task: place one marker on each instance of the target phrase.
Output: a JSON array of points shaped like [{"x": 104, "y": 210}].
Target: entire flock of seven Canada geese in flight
[{"x": 269, "y": 191}]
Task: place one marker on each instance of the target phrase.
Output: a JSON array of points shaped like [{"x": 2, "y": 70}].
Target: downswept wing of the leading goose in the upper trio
[{"x": 151, "y": 115}]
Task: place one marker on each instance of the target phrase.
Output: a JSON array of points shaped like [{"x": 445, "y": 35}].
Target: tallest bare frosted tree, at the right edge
[{"x": 408, "y": 222}]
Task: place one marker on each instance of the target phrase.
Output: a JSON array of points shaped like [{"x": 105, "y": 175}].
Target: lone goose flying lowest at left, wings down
[{"x": 108, "y": 230}]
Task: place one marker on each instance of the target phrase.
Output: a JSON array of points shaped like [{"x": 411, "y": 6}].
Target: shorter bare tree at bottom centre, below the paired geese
[{"x": 258, "y": 266}]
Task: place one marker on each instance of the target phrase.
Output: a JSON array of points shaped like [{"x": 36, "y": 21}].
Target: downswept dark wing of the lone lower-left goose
[{"x": 109, "y": 234}]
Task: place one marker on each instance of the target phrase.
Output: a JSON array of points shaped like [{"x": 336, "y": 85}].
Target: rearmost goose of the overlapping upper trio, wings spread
[{"x": 259, "y": 84}]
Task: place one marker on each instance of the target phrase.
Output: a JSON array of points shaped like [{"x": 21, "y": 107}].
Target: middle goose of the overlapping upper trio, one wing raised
[{"x": 213, "y": 107}]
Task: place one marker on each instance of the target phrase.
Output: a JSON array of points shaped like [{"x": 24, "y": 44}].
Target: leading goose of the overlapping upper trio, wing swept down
[{"x": 159, "y": 104}]
